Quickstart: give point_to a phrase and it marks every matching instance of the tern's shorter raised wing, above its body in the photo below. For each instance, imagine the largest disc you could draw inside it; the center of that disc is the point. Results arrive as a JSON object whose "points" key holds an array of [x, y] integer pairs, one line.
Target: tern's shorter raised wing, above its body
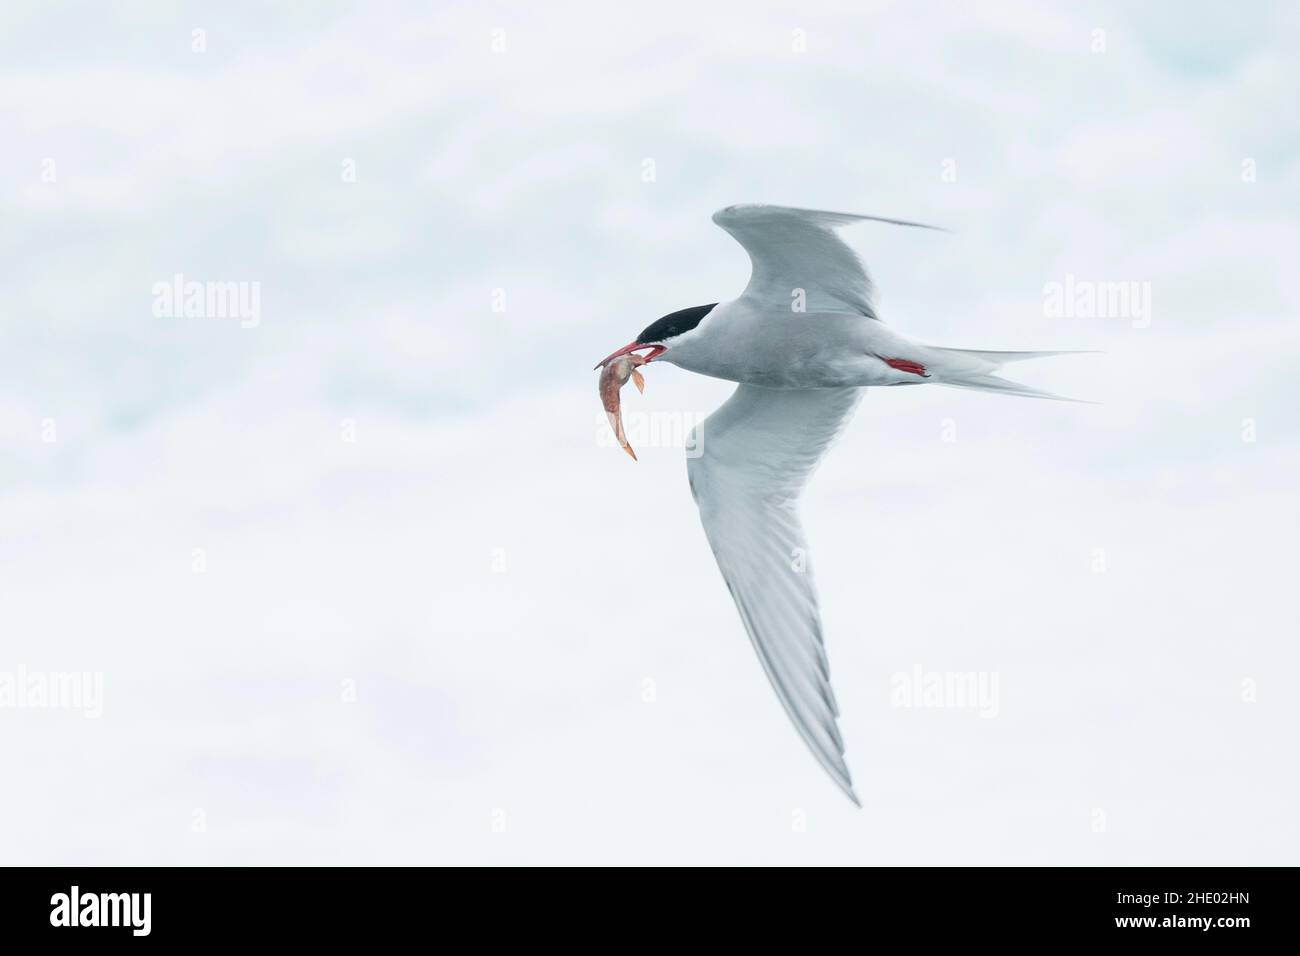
{"points": [[799, 249]]}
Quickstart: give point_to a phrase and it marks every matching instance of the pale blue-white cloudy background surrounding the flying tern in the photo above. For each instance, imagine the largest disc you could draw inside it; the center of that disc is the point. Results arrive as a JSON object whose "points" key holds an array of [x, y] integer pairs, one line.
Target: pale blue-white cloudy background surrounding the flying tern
{"points": [[367, 583]]}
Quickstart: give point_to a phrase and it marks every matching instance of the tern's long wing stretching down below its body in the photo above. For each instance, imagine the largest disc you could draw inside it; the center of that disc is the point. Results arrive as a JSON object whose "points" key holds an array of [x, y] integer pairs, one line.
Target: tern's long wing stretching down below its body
{"points": [[756, 455]]}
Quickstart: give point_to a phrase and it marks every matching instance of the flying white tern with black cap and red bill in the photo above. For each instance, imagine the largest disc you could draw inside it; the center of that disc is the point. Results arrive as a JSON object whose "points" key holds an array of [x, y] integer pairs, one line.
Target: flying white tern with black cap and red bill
{"points": [[803, 341]]}
